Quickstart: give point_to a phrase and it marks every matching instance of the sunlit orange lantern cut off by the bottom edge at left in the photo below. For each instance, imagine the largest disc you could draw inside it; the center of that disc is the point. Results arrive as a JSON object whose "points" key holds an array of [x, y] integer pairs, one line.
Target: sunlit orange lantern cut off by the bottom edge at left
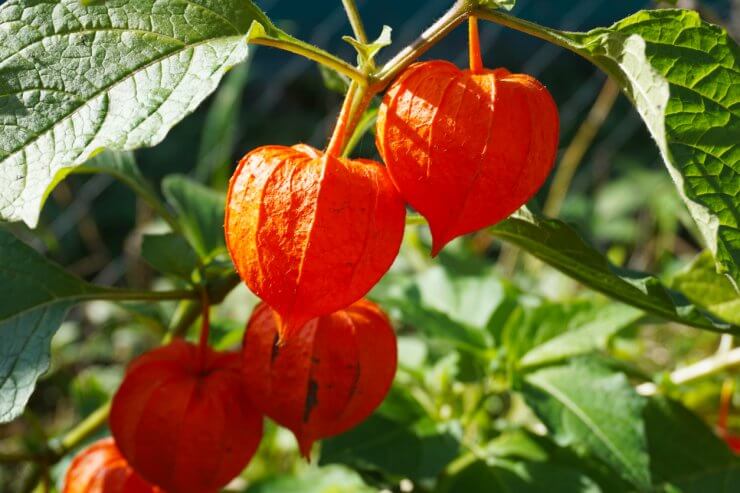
{"points": [[101, 468]]}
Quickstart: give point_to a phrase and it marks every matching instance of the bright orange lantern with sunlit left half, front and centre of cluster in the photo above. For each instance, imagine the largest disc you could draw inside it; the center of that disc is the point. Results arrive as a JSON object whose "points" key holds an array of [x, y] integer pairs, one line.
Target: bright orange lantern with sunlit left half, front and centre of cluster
{"points": [[311, 233]]}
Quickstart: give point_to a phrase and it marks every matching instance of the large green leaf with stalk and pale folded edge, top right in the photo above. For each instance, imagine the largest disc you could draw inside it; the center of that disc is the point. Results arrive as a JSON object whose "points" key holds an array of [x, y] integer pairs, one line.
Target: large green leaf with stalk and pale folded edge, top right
{"points": [[681, 74]]}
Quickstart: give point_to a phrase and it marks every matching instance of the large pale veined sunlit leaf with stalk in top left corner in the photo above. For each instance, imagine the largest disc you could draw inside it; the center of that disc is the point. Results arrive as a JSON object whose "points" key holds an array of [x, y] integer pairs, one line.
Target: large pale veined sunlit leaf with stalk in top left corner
{"points": [[76, 77]]}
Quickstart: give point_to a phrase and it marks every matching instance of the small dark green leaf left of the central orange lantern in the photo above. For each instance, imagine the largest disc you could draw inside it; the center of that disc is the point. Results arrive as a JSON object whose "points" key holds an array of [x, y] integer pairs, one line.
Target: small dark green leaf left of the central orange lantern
{"points": [[170, 254]]}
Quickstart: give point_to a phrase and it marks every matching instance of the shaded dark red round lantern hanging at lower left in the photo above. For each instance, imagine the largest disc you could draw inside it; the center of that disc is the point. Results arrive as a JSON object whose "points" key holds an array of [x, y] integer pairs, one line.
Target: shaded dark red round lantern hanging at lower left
{"points": [[182, 418]]}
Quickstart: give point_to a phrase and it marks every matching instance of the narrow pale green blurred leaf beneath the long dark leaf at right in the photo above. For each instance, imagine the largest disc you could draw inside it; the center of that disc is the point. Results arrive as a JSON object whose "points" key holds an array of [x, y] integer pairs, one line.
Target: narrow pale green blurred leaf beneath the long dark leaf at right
{"points": [[588, 334]]}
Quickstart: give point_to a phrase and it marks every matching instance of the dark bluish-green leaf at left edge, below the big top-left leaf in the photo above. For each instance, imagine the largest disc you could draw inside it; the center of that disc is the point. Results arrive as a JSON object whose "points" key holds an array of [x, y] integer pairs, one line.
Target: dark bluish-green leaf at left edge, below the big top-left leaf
{"points": [[34, 297]]}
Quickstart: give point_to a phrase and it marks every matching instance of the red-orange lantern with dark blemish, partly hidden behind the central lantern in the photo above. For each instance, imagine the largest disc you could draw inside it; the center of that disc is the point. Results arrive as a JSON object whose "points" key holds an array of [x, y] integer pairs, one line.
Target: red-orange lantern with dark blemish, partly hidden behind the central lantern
{"points": [[328, 377]]}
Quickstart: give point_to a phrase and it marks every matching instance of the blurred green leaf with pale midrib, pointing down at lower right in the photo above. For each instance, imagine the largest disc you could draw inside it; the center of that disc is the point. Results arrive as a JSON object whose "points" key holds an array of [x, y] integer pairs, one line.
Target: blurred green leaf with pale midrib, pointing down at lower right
{"points": [[588, 407]]}
